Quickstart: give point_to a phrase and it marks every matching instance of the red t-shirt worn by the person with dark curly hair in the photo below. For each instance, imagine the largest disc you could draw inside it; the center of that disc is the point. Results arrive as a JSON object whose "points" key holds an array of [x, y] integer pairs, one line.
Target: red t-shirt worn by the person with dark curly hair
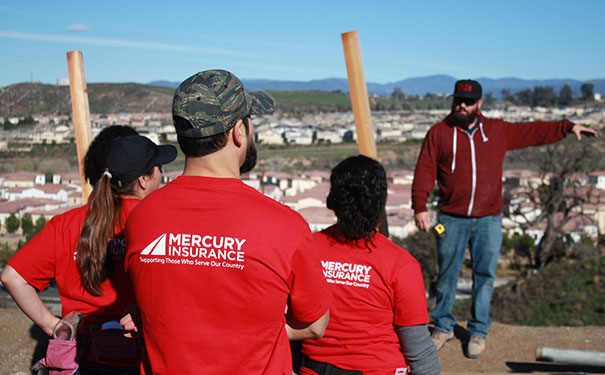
{"points": [[373, 290]]}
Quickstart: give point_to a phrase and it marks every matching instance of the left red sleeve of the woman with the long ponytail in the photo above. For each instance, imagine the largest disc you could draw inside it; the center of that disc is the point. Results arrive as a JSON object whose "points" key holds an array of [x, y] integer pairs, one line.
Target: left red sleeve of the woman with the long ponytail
{"points": [[36, 260]]}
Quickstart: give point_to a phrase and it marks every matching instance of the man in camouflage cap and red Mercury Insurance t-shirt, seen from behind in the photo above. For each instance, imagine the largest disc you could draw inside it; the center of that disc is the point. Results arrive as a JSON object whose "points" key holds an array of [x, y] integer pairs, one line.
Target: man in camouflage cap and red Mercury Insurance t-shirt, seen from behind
{"points": [[214, 262]]}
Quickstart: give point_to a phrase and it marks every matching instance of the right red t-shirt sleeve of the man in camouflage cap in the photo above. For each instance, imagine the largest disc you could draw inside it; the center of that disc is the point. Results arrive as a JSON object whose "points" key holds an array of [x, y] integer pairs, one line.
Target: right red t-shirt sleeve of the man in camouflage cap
{"points": [[309, 293]]}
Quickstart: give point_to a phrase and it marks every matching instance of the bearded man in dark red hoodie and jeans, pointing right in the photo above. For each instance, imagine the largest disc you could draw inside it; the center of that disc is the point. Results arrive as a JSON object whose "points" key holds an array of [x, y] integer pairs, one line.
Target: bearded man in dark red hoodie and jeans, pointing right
{"points": [[465, 153]]}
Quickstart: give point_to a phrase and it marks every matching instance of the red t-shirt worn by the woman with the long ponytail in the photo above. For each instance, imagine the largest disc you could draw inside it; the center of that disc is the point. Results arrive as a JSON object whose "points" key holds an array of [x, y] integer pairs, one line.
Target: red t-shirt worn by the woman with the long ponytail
{"points": [[51, 254]]}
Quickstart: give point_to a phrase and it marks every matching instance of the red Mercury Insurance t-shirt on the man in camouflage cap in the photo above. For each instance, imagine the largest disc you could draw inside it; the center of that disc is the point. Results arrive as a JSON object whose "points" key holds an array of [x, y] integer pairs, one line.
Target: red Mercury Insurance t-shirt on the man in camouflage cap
{"points": [[214, 263]]}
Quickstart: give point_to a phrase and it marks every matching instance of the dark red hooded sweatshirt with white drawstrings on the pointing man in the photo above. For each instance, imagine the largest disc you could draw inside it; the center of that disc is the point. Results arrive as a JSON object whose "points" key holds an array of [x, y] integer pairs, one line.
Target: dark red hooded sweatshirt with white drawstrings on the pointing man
{"points": [[468, 168]]}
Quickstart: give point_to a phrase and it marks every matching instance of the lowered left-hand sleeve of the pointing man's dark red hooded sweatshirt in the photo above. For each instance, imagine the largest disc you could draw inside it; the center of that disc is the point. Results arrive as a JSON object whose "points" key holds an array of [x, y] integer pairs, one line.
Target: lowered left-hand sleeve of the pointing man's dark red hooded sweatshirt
{"points": [[425, 173]]}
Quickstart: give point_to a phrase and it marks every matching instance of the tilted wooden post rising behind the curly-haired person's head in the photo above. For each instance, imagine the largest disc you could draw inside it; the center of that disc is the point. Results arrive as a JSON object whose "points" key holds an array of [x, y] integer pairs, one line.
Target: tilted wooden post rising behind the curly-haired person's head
{"points": [[358, 92]]}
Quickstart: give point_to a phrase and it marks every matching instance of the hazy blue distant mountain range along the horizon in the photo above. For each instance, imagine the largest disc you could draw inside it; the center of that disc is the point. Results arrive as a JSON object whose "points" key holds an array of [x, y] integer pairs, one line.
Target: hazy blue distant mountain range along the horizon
{"points": [[435, 84]]}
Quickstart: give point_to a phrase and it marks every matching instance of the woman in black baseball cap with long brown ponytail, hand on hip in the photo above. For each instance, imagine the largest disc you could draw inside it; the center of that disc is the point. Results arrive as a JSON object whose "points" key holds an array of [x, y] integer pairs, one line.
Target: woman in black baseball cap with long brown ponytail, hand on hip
{"points": [[83, 250]]}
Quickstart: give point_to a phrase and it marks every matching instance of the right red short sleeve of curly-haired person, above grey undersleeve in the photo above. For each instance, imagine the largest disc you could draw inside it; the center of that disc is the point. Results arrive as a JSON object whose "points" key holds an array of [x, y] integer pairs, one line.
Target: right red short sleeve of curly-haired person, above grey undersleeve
{"points": [[410, 297]]}
